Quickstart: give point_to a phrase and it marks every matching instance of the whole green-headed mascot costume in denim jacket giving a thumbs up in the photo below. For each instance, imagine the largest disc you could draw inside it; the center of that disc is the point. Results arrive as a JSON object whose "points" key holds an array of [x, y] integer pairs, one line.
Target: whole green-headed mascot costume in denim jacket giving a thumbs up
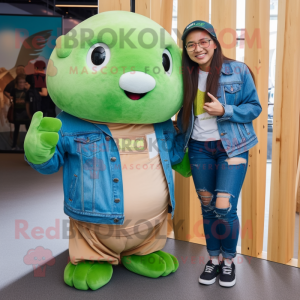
{"points": [[117, 80]]}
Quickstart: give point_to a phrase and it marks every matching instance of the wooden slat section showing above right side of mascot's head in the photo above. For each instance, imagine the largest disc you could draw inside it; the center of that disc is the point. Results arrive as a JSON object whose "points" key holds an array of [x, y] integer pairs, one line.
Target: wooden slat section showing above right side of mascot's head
{"points": [[159, 11]]}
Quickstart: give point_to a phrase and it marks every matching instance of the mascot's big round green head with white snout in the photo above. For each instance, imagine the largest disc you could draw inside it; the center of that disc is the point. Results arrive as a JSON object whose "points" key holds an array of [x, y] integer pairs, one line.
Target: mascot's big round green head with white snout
{"points": [[117, 67]]}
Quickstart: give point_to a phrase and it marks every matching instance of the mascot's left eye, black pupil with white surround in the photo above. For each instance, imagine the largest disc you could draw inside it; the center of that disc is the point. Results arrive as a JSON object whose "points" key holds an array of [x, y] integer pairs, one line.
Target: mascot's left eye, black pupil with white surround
{"points": [[98, 56]]}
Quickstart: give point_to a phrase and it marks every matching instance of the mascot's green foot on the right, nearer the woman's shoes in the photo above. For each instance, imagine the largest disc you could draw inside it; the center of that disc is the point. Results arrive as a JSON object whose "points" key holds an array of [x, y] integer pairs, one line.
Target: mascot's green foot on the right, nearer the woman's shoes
{"points": [[152, 265]]}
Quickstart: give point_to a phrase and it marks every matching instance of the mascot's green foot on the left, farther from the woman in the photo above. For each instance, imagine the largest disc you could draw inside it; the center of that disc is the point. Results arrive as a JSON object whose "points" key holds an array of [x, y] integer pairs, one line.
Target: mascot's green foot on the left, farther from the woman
{"points": [[88, 274]]}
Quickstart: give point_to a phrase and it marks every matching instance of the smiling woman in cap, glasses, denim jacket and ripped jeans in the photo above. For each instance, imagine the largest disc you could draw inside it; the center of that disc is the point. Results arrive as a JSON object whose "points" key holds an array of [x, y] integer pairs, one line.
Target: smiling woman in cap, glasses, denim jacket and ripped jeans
{"points": [[220, 103]]}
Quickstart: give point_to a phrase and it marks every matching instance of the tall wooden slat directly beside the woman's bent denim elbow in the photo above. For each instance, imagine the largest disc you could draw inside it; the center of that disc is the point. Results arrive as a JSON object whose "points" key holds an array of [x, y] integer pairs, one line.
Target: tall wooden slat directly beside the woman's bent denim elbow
{"points": [[254, 187]]}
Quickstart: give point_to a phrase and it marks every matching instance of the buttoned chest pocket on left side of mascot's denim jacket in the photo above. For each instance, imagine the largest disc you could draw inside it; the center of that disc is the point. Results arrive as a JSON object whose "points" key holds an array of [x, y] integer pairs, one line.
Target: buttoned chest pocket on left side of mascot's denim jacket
{"points": [[88, 144]]}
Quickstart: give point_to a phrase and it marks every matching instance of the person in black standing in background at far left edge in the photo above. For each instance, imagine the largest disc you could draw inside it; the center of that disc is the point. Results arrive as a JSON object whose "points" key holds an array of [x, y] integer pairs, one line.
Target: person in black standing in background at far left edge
{"points": [[21, 113]]}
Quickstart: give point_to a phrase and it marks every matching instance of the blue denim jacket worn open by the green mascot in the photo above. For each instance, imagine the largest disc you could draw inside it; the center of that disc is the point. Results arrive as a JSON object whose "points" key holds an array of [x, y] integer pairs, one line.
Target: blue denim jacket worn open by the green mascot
{"points": [[92, 176]]}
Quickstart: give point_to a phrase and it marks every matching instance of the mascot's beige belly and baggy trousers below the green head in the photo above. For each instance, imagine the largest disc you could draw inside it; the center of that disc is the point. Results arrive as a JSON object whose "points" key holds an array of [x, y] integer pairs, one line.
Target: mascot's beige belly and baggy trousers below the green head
{"points": [[146, 198]]}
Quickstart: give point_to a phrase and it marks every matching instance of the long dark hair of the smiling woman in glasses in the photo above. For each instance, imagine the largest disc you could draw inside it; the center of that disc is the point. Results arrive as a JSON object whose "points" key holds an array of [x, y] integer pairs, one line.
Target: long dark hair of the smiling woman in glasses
{"points": [[190, 72]]}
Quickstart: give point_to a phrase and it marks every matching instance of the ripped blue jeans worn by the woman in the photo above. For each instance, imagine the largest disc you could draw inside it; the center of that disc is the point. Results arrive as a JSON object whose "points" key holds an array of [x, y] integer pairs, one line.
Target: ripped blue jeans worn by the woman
{"points": [[218, 176]]}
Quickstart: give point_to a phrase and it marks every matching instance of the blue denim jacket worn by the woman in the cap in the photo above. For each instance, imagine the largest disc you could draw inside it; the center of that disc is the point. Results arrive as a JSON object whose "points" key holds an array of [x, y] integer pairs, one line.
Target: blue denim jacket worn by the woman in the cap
{"points": [[238, 96]]}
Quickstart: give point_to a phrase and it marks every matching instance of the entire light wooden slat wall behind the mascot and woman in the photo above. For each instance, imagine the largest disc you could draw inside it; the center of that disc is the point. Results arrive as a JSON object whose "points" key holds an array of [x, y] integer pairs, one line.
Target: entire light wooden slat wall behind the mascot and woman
{"points": [[285, 187]]}
